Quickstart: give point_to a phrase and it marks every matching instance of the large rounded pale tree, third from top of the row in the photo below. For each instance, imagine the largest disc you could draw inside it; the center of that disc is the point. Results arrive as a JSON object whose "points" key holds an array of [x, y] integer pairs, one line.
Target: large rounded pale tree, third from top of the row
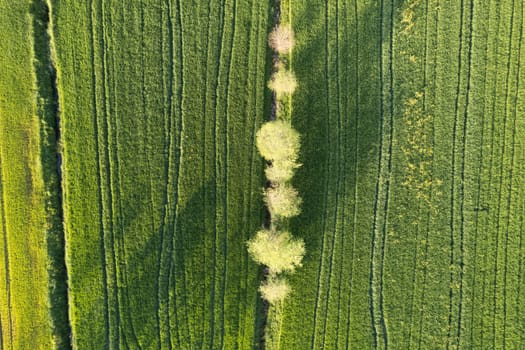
{"points": [[278, 141]]}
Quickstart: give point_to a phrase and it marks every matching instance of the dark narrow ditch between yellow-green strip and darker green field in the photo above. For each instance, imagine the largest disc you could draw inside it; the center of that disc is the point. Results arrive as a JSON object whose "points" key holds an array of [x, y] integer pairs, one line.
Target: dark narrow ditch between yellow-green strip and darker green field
{"points": [[49, 118]]}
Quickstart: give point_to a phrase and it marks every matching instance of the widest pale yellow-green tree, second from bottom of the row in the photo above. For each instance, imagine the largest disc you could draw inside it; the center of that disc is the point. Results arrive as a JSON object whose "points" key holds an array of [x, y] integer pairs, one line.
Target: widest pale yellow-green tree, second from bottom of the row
{"points": [[277, 250]]}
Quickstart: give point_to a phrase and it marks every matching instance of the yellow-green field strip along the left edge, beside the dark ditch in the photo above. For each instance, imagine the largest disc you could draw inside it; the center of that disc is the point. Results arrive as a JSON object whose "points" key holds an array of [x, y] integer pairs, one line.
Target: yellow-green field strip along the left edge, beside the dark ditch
{"points": [[24, 301]]}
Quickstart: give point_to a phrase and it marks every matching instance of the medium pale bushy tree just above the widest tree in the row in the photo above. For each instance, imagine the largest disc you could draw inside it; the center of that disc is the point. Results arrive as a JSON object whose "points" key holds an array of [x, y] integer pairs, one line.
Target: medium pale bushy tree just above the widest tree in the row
{"points": [[283, 201]]}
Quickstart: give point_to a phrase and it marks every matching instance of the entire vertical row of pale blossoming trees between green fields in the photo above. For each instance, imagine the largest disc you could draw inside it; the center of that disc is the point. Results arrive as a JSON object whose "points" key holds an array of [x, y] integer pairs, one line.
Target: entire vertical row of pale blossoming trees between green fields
{"points": [[279, 144]]}
